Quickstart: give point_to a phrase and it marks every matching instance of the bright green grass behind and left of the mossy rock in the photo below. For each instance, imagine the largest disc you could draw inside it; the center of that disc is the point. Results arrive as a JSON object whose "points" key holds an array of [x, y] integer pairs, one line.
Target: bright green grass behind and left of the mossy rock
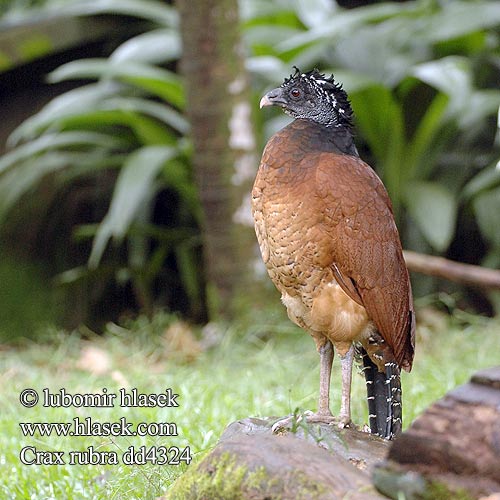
{"points": [[266, 369]]}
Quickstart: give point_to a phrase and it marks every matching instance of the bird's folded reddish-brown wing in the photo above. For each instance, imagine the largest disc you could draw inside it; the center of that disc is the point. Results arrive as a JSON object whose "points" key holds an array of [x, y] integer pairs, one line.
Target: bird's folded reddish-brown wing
{"points": [[367, 257]]}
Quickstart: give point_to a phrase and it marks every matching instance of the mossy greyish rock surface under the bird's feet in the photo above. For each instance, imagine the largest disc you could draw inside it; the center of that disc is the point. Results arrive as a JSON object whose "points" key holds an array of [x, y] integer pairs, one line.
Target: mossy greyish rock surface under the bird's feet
{"points": [[250, 462]]}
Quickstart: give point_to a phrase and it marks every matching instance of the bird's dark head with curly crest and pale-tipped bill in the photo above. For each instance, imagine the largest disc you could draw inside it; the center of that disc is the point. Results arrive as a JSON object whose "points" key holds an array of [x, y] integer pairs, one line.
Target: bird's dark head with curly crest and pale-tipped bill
{"points": [[312, 96]]}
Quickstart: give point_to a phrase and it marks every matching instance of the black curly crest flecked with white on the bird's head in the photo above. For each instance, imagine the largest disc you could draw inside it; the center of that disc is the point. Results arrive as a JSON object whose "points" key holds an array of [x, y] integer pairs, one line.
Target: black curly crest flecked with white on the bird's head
{"points": [[335, 93]]}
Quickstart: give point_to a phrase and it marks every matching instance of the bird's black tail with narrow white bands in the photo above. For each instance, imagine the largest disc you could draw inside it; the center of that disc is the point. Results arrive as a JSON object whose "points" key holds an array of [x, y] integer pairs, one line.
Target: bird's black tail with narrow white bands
{"points": [[384, 397]]}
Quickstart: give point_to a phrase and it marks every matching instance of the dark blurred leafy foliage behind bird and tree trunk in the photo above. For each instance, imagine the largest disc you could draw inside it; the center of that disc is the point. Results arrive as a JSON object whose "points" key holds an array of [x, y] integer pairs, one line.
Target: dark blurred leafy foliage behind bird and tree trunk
{"points": [[97, 188]]}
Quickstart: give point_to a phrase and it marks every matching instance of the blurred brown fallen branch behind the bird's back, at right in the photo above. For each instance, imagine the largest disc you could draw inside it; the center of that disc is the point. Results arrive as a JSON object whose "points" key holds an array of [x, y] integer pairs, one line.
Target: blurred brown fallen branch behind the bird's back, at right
{"points": [[440, 267]]}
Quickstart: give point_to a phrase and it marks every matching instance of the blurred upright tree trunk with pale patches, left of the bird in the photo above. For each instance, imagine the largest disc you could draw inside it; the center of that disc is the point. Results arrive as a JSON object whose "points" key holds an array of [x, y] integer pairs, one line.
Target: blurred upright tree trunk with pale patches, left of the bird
{"points": [[224, 145]]}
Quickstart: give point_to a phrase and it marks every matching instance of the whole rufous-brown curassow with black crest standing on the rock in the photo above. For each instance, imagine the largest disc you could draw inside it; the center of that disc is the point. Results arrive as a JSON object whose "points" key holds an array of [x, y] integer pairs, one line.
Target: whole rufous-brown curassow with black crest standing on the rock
{"points": [[327, 235]]}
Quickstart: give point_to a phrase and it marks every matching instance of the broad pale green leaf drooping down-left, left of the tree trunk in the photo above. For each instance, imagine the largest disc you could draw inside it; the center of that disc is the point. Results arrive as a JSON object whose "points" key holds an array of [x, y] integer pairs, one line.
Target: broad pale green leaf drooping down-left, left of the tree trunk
{"points": [[134, 187]]}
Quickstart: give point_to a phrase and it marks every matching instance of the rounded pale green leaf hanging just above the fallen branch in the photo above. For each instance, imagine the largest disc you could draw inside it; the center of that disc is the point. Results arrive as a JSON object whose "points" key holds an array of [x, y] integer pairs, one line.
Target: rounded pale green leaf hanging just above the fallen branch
{"points": [[434, 210]]}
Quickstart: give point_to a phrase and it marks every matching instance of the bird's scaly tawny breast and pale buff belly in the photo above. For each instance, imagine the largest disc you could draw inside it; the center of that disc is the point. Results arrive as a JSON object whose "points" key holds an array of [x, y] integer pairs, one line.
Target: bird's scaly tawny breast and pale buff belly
{"points": [[298, 255]]}
